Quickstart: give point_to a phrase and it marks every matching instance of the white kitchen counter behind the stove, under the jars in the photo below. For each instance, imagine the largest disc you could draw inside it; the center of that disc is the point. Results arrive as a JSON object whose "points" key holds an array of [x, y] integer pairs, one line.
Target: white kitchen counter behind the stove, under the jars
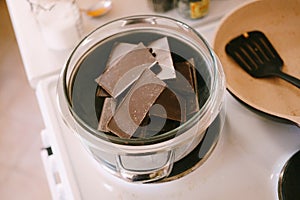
{"points": [[40, 61]]}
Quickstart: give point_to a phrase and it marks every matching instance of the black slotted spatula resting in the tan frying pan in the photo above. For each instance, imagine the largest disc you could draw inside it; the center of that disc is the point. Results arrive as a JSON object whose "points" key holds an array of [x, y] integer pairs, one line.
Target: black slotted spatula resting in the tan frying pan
{"points": [[256, 55]]}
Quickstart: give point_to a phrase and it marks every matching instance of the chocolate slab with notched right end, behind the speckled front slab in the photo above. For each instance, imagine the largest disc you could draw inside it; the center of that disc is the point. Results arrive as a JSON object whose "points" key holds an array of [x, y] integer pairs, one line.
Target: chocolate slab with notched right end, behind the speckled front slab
{"points": [[125, 71]]}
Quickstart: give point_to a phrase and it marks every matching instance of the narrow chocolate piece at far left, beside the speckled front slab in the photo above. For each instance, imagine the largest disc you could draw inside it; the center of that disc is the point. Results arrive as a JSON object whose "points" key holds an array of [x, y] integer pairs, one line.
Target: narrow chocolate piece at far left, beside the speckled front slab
{"points": [[108, 110]]}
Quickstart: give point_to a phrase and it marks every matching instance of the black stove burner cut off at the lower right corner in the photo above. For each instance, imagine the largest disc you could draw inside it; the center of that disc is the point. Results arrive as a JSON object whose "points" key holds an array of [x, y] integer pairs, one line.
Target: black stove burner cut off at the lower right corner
{"points": [[289, 182]]}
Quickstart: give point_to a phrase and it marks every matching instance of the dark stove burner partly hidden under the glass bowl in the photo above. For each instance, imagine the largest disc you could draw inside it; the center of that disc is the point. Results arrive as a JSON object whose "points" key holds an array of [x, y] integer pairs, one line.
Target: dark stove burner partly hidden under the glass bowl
{"points": [[197, 157]]}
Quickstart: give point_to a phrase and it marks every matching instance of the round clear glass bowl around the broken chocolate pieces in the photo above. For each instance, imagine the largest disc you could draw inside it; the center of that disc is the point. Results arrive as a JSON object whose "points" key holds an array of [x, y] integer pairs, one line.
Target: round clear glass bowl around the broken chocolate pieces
{"points": [[139, 159]]}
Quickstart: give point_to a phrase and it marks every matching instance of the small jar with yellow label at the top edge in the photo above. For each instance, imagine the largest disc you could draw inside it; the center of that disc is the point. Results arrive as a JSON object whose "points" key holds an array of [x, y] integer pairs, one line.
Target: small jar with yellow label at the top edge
{"points": [[193, 9]]}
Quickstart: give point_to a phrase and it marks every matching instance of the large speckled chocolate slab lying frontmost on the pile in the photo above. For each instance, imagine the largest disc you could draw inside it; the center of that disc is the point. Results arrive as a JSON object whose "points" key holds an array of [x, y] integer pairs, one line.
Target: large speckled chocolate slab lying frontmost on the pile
{"points": [[136, 104]]}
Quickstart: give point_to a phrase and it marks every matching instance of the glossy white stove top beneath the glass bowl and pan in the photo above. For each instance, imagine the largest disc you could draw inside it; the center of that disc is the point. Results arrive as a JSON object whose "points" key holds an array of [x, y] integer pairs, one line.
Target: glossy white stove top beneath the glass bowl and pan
{"points": [[245, 164]]}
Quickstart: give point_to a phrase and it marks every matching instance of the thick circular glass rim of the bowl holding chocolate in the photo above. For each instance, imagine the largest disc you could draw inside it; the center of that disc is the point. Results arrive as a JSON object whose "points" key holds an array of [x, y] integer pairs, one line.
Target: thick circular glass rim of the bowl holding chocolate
{"points": [[210, 107]]}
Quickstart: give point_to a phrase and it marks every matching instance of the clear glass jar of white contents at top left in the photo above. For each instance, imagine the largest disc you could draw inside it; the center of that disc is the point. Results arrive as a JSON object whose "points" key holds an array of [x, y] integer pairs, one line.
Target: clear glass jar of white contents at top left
{"points": [[59, 22]]}
